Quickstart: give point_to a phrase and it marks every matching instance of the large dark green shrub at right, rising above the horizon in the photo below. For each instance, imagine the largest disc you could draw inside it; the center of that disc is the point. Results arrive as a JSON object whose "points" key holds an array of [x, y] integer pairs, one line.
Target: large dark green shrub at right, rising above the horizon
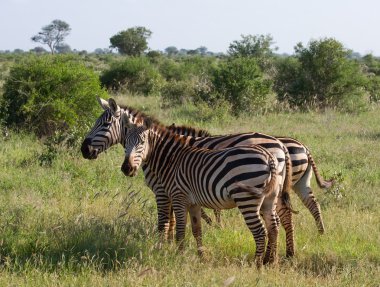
{"points": [[322, 76]]}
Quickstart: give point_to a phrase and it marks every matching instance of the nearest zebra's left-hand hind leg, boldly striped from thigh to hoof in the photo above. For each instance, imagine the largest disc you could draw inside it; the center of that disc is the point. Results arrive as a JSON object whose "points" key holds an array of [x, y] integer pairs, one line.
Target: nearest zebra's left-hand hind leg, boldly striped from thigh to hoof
{"points": [[249, 204]]}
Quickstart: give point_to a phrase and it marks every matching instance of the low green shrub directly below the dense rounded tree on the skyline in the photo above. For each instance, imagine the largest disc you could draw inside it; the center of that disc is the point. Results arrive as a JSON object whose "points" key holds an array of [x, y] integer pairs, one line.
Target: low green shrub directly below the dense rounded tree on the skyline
{"points": [[135, 74]]}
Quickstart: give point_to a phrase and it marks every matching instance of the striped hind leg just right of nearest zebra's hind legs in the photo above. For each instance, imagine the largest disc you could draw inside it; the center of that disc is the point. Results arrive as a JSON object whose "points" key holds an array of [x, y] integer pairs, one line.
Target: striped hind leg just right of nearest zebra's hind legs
{"points": [[286, 219]]}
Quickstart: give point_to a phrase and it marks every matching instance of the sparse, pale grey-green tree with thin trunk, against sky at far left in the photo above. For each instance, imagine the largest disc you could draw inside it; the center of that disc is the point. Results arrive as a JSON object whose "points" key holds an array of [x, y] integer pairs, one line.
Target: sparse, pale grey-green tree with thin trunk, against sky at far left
{"points": [[53, 34]]}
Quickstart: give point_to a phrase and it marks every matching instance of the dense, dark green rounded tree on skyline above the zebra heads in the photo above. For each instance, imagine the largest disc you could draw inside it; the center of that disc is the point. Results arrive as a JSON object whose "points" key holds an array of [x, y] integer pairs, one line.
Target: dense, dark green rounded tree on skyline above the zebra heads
{"points": [[132, 42]]}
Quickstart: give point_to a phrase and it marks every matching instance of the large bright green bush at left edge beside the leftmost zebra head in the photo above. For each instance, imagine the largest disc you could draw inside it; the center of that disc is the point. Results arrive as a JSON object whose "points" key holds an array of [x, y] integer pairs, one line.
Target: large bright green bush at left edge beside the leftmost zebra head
{"points": [[49, 93]]}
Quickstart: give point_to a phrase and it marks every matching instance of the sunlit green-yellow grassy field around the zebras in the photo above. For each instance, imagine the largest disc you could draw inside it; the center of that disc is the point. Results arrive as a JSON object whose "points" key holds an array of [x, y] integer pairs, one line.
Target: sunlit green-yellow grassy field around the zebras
{"points": [[82, 223]]}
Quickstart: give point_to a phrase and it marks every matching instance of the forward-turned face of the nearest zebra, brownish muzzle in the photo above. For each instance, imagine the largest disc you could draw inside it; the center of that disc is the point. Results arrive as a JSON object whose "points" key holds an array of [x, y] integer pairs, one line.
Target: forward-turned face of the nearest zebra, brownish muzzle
{"points": [[136, 145]]}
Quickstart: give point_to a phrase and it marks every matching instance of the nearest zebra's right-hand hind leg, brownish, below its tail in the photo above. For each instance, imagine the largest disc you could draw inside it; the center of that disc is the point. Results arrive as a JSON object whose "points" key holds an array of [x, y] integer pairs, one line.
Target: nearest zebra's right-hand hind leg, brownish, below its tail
{"points": [[268, 211]]}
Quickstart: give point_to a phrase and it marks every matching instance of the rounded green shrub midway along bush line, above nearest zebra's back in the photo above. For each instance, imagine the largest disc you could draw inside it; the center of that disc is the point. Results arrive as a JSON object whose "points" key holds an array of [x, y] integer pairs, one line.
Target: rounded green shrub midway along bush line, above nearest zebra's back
{"points": [[240, 82]]}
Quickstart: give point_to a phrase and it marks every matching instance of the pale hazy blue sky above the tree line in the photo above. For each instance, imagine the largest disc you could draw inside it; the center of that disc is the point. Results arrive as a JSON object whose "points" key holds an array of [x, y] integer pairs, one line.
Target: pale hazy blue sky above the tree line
{"points": [[194, 23]]}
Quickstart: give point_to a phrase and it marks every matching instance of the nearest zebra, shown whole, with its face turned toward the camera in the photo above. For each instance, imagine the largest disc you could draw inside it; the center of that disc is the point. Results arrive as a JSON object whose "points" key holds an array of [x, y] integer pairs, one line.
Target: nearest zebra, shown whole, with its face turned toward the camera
{"points": [[241, 176]]}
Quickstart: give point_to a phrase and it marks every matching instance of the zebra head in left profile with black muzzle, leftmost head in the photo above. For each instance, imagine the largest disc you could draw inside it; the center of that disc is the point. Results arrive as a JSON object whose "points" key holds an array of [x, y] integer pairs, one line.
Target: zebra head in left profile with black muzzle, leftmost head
{"points": [[105, 132]]}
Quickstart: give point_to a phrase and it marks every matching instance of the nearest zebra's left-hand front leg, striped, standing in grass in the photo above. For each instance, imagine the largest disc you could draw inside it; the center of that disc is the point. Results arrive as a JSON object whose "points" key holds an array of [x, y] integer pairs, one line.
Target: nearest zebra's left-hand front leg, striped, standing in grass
{"points": [[180, 207]]}
